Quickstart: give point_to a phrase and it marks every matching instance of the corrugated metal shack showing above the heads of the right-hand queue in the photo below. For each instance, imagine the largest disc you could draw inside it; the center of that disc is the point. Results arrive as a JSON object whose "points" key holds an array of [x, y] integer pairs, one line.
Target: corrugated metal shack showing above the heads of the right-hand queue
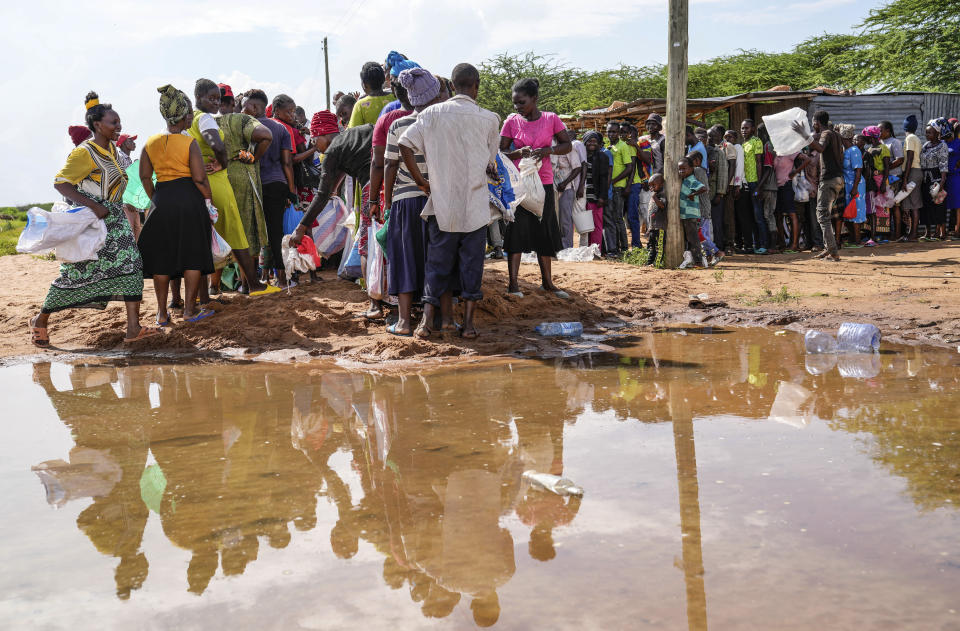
{"points": [[859, 109]]}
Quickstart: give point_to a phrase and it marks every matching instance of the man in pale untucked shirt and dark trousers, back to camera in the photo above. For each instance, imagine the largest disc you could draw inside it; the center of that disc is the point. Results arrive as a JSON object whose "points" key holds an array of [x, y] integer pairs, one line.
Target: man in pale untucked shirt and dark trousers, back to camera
{"points": [[459, 141]]}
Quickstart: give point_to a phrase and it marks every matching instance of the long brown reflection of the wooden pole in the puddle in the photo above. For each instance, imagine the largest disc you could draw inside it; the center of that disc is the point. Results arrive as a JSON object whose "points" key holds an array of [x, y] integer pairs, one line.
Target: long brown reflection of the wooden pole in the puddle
{"points": [[689, 510]]}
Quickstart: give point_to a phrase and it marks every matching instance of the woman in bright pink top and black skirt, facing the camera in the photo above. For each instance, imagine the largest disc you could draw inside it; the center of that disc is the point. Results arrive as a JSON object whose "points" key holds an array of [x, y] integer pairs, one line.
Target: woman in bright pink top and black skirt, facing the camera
{"points": [[531, 133]]}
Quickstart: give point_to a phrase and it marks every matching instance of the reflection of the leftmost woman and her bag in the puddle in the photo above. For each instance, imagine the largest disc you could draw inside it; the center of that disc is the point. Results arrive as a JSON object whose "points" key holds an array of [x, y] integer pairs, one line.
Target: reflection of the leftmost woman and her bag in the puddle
{"points": [[115, 430]]}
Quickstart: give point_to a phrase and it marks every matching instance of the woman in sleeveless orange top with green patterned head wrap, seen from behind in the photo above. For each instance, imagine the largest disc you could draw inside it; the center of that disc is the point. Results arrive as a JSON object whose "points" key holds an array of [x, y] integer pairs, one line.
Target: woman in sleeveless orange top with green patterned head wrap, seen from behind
{"points": [[175, 240]]}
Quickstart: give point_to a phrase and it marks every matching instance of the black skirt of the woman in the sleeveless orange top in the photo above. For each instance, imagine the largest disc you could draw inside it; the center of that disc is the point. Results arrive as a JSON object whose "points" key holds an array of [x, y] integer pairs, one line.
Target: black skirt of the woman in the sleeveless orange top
{"points": [[176, 235]]}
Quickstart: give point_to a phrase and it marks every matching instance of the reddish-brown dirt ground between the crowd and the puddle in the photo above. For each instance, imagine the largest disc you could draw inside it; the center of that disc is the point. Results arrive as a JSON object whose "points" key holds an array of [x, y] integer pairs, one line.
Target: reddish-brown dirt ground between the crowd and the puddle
{"points": [[910, 291]]}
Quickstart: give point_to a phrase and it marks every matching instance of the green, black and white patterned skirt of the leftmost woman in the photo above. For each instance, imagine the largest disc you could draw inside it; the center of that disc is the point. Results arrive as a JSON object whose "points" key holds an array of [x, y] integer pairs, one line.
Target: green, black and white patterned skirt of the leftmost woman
{"points": [[117, 274]]}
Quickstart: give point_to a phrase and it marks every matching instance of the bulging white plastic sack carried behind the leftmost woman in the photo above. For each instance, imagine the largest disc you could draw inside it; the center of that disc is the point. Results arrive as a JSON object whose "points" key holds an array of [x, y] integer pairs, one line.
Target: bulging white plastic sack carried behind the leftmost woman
{"points": [[75, 233]]}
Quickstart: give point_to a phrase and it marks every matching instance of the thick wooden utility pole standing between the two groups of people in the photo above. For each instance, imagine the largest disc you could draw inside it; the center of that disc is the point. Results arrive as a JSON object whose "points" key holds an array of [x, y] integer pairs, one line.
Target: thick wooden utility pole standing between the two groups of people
{"points": [[675, 126]]}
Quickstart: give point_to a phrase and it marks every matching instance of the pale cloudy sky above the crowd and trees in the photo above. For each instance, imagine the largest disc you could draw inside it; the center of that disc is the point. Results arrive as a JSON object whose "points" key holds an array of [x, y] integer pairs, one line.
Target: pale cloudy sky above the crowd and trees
{"points": [[57, 51]]}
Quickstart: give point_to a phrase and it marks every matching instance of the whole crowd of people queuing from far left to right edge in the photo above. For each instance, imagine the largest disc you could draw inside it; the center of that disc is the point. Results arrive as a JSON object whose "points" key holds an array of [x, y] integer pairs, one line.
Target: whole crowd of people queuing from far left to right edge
{"points": [[421, 161]]}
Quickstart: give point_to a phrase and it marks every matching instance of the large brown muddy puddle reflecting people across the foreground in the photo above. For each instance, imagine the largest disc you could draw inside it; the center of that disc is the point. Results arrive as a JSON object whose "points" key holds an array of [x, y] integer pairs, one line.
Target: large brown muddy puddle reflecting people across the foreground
{"points": [[728, 484]]}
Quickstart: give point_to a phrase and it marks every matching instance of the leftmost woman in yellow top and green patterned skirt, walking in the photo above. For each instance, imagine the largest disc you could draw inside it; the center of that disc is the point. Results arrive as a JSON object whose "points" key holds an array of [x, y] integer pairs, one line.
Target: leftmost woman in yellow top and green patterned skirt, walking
{"points": [[93, 178]]}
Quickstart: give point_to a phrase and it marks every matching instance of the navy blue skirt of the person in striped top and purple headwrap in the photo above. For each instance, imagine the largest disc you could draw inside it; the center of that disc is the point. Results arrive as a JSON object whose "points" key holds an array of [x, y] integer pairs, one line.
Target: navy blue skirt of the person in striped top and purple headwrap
{"points": [[406, 247]]}
